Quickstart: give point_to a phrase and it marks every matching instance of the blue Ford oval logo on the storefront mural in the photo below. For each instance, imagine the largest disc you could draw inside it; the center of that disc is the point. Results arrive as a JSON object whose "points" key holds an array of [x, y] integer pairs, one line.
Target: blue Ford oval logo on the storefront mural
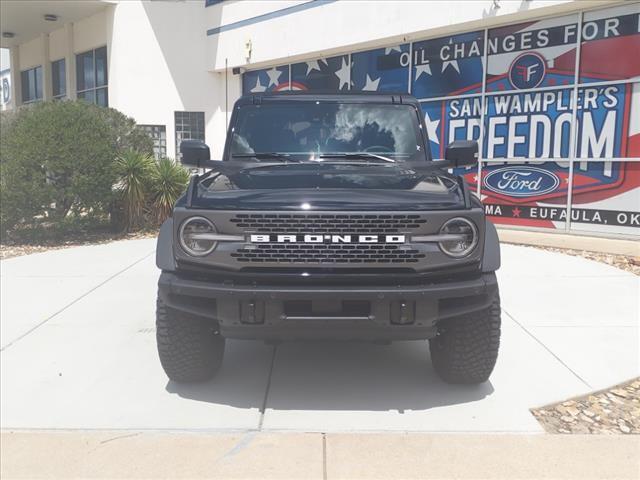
{"points": [[521, 181]]}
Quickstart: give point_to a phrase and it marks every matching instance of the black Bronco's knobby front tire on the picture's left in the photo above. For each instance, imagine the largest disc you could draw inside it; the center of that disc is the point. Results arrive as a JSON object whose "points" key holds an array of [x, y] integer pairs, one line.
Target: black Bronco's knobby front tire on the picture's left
{"points": [[190, 348]]}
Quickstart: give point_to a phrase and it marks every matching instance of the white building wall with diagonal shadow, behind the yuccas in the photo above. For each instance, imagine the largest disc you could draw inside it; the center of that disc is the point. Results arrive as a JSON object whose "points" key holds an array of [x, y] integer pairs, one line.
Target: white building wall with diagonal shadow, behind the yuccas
{"points": [[157, 66]]}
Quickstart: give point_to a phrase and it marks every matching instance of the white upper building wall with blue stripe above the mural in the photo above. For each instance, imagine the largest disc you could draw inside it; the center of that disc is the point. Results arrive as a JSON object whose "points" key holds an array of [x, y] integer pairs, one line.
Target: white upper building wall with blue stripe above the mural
{"points": [[341, 26]]}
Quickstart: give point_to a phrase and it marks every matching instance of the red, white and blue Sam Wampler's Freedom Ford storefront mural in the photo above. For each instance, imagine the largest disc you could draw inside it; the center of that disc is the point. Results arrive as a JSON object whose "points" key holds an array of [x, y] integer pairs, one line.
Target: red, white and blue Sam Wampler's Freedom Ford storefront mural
{"points": [[552, 151]]}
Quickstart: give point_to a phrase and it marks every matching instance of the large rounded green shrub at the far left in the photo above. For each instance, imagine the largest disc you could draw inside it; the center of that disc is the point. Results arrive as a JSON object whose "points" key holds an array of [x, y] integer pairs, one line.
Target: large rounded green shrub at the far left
{"points": [[58, 157]]}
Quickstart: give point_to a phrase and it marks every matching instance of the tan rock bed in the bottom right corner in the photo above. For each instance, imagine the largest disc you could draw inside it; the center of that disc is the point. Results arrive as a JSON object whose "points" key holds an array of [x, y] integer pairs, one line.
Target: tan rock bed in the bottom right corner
{"points": [[612, 411]]}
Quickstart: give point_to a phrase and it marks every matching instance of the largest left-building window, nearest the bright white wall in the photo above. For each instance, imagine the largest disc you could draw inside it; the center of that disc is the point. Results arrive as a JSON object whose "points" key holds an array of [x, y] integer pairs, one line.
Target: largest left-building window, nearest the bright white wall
{"points": [[91, 76]]}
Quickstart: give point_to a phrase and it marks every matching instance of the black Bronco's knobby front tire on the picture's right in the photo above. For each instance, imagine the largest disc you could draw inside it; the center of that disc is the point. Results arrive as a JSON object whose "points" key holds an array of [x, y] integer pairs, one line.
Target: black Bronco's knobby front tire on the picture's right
{"points": [[466, 348]]}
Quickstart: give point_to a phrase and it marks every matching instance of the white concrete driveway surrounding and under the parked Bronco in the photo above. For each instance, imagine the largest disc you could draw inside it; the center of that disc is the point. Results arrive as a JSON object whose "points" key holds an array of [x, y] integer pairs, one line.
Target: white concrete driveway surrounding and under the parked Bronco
{"points": [[78, 352]]}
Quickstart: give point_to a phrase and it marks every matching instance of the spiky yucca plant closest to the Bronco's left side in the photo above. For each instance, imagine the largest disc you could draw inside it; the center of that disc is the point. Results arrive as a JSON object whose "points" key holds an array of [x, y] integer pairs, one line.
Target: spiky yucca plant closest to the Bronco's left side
{"points": [[168, 181]]}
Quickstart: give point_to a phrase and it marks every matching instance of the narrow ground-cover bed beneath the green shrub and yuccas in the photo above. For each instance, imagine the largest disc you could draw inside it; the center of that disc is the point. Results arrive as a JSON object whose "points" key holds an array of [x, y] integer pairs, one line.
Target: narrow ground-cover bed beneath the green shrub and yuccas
{"points": [[10, 250]]}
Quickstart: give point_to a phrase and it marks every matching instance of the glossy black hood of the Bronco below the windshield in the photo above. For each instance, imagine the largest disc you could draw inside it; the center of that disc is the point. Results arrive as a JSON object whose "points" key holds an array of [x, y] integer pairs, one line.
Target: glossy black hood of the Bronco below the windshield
{"points": [[330, 186]]}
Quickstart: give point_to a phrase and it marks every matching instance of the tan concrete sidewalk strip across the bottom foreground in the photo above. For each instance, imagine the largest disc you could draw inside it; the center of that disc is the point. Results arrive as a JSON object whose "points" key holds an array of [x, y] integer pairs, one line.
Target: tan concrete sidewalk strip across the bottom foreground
{"points": [[254, 455]]}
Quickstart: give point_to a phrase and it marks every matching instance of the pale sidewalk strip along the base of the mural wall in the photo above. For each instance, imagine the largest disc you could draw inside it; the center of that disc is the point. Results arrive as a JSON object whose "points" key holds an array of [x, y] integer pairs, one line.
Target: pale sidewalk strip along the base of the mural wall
{"points": [[576, 242]]}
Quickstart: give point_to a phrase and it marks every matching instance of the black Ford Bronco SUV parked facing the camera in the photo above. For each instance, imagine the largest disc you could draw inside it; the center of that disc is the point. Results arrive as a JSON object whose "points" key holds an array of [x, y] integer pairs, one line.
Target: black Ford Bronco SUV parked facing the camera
{"points": [[327, 218]]}
